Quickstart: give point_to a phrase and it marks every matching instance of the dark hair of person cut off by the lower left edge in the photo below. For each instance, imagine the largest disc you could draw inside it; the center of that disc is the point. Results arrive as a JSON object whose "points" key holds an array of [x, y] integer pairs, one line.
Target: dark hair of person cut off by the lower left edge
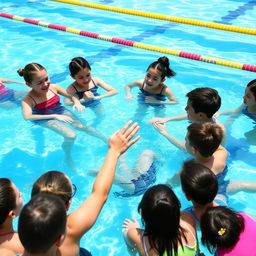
{"points": [[7, 199]]}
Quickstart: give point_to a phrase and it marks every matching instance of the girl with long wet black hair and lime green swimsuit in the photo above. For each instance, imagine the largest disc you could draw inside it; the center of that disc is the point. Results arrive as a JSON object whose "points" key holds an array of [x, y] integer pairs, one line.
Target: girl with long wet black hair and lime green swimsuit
{"points": [[167, 231]]}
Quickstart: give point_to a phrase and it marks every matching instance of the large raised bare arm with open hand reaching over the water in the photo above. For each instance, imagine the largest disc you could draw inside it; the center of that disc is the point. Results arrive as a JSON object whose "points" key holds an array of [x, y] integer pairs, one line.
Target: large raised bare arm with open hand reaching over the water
{"points": [[82, 219]]}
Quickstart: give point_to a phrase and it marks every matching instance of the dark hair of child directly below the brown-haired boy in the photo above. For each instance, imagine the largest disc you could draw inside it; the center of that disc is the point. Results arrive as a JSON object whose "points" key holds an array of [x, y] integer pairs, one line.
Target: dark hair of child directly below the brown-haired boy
{"points": [[198, 182]]}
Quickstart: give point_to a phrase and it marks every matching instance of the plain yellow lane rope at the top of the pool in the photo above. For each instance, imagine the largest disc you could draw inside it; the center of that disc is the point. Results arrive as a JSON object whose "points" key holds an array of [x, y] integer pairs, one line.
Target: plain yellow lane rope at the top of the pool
{"points": [[214, 25]]}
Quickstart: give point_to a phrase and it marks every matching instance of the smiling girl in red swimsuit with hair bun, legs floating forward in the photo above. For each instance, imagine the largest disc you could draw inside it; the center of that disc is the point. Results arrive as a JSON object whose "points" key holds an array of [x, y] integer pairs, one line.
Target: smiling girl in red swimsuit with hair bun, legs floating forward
{"points": [[42, 106]]}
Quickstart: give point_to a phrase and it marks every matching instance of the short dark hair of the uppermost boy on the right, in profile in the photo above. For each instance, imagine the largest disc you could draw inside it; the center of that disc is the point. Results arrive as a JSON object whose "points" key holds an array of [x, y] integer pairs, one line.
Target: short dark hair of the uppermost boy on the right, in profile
{"points": [[205, 100]]}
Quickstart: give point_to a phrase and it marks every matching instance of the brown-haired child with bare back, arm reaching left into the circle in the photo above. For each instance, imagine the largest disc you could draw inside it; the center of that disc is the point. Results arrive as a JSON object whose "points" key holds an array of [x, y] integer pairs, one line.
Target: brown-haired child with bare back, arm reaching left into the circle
{"points": [[203, 142]]}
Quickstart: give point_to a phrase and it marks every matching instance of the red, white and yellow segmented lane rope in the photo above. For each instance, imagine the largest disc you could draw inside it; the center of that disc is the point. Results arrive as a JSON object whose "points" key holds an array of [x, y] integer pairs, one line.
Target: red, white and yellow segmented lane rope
{"points": [[149, 47]]}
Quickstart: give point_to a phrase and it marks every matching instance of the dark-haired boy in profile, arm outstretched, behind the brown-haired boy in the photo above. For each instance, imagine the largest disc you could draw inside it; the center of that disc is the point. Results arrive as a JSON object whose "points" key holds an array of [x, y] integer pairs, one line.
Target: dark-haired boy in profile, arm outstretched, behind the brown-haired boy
{"points": [[202, 104]]}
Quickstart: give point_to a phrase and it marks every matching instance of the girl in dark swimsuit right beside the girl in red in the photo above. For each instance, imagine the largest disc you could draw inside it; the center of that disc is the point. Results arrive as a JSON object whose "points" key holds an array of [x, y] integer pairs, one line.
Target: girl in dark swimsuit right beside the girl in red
{"points": [[85, 87]]}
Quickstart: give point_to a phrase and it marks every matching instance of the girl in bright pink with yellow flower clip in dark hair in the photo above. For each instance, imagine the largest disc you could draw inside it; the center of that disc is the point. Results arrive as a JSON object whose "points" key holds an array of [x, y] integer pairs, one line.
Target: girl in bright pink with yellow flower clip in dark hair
{"points": [[231, 233]]}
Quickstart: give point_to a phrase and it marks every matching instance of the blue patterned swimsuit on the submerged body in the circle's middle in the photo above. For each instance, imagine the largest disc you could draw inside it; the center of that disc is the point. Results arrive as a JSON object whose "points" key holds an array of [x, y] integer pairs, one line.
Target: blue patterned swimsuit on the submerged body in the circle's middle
{"points": [[141, 183]]}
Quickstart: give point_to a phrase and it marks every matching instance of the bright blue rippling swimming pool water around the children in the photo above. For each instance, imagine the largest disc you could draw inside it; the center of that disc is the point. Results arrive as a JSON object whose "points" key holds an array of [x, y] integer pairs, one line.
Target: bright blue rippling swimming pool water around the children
{"points": [[28, 151]]}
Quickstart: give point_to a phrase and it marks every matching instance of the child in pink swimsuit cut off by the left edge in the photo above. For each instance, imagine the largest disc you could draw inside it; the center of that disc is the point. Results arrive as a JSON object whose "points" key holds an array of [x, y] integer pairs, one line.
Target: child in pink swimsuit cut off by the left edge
{"points": [[9, 97]]}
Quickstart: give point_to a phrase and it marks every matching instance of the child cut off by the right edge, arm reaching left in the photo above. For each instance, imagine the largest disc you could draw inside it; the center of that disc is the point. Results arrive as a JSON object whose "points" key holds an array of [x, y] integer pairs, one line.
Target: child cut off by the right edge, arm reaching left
{"points": [[248, 108]]}
